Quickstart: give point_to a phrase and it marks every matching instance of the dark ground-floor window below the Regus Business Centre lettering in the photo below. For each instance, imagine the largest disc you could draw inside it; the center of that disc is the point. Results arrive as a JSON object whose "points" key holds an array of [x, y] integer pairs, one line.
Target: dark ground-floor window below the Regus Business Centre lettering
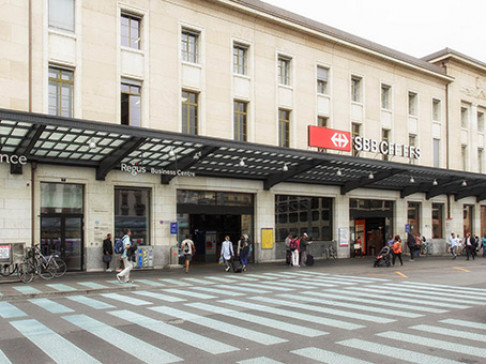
{"points": [[132, 211]]}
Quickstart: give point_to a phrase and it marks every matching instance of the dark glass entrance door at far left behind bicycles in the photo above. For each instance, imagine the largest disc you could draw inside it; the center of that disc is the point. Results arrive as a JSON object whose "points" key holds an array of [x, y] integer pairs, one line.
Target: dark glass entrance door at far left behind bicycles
{"points": [[63, 235]]}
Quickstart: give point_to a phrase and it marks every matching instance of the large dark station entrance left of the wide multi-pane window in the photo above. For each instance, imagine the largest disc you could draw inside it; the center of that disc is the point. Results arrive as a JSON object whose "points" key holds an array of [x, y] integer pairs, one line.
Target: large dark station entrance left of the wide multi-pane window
{"points": [[209, 216]]}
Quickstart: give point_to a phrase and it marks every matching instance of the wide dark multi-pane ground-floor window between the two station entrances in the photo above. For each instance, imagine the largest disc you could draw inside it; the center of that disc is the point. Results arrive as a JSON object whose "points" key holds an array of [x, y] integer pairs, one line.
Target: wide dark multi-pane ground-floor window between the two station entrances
{"points": [[298, 214]]}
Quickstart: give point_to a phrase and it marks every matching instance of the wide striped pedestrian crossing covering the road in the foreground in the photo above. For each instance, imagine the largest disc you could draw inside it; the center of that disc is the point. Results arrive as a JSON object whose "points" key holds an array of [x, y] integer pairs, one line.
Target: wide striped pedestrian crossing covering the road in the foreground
{"points": [[366, 320]]}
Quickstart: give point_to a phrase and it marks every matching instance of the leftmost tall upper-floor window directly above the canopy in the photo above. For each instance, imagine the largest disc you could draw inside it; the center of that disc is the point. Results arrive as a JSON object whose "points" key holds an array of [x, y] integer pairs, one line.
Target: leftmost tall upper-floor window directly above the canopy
{"points": [[61, 92]]}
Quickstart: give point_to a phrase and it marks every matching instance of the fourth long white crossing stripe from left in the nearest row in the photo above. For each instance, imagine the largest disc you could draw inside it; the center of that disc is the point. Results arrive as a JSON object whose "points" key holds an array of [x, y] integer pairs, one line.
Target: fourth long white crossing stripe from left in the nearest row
{"points": [[219, 325]]}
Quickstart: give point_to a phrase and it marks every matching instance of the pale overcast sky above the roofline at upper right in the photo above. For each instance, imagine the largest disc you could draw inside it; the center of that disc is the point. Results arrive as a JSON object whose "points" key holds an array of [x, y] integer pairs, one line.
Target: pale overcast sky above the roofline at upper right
{"points": [[416, 27]]}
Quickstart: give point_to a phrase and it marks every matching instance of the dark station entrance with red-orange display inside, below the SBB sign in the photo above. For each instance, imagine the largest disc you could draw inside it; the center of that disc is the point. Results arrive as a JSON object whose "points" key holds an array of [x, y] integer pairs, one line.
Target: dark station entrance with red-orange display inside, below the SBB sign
{"points": [[371, 222]]}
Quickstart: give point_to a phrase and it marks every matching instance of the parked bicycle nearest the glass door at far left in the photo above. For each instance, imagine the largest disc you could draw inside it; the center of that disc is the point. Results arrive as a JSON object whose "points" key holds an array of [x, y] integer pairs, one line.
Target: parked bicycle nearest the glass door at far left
{"points": [[47, 267]]}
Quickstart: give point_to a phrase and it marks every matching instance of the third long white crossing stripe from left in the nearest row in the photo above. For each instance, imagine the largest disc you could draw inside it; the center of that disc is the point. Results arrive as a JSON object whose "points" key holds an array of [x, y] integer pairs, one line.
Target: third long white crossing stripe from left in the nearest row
{"points": [[175, 333]]}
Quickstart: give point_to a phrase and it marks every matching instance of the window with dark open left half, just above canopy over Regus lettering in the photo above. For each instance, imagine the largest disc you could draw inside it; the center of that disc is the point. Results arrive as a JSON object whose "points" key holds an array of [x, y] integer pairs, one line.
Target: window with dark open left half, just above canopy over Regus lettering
{"points": [[130, 103]]}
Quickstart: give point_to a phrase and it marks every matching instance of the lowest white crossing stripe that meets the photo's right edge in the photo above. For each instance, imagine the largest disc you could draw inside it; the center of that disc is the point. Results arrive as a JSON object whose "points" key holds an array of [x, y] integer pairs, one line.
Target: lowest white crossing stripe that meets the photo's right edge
{"points": [[434, 343]]}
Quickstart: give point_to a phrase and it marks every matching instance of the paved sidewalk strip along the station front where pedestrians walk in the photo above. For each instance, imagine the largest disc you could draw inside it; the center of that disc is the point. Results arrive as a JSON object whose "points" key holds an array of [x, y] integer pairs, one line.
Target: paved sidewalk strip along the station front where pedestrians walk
{"points": [[82, 283]]}
